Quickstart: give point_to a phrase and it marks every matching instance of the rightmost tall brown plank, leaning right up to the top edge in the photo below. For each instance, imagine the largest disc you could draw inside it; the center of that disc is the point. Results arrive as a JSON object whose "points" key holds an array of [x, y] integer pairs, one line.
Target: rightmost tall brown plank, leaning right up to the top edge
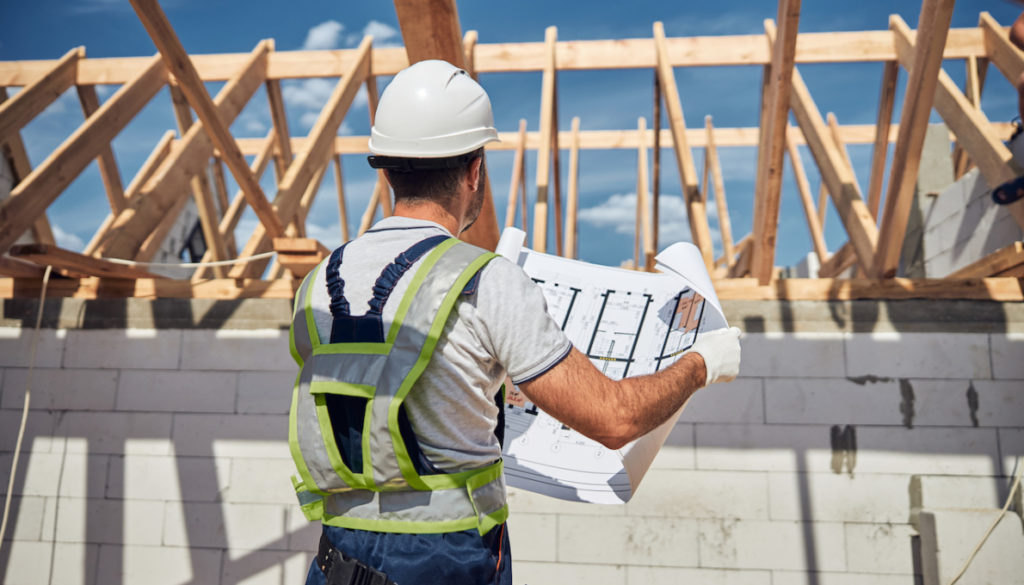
{"points": [[918, 100]]}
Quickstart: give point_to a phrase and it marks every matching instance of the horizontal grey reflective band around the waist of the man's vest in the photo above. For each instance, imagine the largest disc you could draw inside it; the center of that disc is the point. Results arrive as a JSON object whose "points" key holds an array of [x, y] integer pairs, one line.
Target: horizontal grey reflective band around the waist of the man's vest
{"points": [[417, 507]]}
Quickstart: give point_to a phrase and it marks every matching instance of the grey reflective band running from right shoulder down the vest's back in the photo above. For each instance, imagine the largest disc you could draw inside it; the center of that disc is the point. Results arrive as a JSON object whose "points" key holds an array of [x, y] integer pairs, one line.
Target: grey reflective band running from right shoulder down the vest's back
{"points": [[409, 345]]}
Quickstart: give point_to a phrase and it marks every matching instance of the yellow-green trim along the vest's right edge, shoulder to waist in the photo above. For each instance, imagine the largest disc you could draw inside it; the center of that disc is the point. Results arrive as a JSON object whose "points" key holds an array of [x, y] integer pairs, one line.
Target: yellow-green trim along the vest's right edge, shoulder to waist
{"points": [[405, 463]]}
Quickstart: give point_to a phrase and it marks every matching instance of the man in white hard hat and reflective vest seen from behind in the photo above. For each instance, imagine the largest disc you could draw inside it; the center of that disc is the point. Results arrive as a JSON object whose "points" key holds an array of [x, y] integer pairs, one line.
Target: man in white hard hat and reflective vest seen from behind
{"points": [[397, 414]]}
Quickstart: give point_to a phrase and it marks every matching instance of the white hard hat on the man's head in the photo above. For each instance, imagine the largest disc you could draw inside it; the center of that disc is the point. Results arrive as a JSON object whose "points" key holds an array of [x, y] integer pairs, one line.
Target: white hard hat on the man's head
{"points": [[433, 110]]}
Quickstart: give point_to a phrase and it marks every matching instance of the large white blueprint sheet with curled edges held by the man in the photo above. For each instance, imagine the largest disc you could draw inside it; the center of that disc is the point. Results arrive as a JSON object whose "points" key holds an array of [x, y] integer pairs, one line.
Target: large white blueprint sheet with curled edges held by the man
{"points": [[629, 324]]}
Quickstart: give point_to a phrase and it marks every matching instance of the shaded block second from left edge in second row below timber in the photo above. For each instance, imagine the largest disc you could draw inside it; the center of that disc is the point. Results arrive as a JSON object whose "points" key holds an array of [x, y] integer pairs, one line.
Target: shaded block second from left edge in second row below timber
{"points": [[177, 392]]}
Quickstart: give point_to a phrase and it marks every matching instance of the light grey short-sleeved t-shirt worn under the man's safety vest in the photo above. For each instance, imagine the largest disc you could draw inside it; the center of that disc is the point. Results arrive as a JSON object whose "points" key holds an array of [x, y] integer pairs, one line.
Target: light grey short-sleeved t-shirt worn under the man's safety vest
{"points": [[502, 328]]}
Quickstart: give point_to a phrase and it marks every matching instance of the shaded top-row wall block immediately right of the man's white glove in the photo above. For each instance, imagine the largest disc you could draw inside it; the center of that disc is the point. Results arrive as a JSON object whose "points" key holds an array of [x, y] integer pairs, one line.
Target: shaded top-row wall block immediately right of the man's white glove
{"points": [[793, 355]]}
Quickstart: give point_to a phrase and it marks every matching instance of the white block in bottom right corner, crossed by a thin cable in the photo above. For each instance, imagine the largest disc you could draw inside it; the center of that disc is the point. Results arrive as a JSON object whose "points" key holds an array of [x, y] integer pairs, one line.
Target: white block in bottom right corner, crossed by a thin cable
{"points": [[948, 537]]}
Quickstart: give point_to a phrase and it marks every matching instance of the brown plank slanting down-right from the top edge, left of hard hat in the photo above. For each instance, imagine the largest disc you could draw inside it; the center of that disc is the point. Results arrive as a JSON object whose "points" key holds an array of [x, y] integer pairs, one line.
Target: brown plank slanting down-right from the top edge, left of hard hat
{"points": [[164, 37]]}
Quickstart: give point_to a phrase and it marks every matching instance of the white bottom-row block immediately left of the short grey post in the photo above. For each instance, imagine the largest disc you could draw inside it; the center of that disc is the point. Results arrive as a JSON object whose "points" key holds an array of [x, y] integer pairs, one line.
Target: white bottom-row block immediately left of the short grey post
{"points": [[880, 549]]}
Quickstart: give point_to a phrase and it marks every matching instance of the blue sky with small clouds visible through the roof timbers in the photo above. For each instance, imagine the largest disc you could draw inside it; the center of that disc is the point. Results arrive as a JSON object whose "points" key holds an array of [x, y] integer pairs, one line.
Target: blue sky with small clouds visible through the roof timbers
{"points": [[48, 29]]}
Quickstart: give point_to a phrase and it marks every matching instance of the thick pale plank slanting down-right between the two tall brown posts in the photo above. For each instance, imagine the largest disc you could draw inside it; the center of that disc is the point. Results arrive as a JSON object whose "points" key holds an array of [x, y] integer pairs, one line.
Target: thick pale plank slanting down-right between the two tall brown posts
{"points": [[835, 173]]}
